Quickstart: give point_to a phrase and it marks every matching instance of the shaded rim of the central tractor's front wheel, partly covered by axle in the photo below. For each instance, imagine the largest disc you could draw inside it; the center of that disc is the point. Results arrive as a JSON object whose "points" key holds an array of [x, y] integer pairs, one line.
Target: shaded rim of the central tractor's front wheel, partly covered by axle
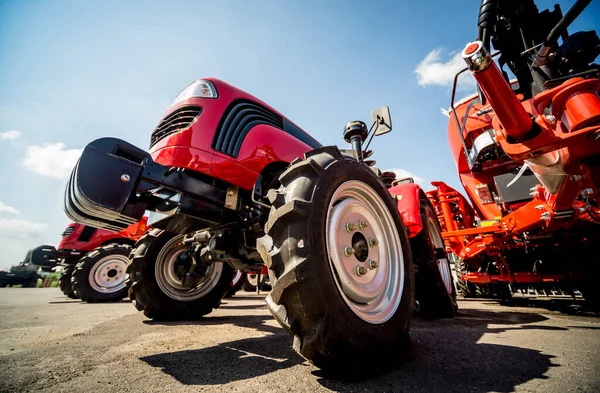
{"points": [[171, 284]]}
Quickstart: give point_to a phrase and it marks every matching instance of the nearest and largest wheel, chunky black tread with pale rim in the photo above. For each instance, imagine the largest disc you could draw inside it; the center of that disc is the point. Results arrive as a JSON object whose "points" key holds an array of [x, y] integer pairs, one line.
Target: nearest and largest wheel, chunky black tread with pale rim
{"points": [[338, 318]]}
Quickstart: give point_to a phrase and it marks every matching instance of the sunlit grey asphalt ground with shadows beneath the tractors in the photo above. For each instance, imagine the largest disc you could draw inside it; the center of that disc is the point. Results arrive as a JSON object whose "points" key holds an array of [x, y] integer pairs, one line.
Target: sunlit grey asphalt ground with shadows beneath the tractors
{"points": [[49, 343]]}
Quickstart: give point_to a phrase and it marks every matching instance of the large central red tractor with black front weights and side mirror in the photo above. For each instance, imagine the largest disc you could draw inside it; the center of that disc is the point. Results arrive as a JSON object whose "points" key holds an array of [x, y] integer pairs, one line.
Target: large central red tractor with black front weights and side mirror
{"points": [[230, 183]]}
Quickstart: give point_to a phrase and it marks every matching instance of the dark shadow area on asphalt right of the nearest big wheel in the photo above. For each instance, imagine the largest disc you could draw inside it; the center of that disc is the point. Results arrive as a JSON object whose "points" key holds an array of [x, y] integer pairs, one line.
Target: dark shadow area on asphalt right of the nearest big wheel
{"points": [[447, 356]]}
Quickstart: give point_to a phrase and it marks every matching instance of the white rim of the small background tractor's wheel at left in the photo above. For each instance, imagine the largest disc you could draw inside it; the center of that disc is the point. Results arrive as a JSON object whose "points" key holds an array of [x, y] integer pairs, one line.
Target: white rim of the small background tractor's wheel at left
{"points": [[108, 274]]}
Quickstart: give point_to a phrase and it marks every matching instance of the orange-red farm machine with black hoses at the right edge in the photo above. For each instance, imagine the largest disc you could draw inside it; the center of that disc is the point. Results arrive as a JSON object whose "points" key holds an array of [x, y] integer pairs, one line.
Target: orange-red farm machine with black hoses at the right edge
{"points": [[528, 155]]}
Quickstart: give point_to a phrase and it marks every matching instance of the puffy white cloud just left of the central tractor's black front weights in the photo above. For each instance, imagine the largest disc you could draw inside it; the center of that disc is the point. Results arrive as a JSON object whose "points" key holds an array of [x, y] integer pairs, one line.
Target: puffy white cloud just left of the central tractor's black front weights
{"points": [[52, 159]]}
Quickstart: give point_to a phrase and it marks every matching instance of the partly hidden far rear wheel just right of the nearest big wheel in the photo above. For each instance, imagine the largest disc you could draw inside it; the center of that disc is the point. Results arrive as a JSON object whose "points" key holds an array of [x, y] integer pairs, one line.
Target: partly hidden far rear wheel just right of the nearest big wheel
{"points": [[435, 290]]}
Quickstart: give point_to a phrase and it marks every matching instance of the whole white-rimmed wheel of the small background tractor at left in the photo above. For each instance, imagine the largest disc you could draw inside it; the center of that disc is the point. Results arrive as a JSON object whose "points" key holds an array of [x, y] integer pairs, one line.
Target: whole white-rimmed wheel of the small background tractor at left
{"points": [[100, 275]]}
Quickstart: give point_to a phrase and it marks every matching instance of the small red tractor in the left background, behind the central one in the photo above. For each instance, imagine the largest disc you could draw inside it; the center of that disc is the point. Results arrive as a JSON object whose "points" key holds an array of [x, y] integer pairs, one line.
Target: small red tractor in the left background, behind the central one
{"points": [[94, 260]]}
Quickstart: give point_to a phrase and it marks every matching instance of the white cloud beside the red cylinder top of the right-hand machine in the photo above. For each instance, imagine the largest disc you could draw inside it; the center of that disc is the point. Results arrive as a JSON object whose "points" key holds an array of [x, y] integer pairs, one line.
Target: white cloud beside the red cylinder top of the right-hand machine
{"points": [[433, 70]]}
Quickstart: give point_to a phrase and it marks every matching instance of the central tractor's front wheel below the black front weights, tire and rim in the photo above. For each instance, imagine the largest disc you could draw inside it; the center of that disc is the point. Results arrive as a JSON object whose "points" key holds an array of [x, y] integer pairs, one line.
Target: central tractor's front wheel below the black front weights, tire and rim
{"points": [[156, 289]]}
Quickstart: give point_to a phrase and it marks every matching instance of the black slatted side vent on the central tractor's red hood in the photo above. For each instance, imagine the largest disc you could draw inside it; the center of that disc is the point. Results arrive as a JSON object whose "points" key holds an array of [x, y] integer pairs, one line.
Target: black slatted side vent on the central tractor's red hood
{"points": [[237, 121]]}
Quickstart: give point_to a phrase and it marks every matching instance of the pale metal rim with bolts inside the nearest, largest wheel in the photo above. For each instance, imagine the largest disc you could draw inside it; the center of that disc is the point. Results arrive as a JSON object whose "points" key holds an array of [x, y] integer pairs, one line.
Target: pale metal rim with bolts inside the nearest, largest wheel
{"points": [[375, 295]]}
